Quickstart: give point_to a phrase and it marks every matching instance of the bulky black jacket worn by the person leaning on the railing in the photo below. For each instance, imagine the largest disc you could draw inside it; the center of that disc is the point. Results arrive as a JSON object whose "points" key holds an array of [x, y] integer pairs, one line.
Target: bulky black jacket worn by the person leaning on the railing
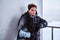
{"points": [[32, 25]]}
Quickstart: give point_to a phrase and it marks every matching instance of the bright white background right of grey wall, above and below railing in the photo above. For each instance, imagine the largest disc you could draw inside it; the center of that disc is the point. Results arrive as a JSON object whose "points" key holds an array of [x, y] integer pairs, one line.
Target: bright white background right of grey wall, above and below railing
{"points": [[51, 12]]}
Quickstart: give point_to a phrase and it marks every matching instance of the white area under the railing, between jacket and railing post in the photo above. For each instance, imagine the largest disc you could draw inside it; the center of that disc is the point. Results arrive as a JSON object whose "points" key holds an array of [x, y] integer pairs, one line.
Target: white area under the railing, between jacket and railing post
{"points": [[47, 33]]}
